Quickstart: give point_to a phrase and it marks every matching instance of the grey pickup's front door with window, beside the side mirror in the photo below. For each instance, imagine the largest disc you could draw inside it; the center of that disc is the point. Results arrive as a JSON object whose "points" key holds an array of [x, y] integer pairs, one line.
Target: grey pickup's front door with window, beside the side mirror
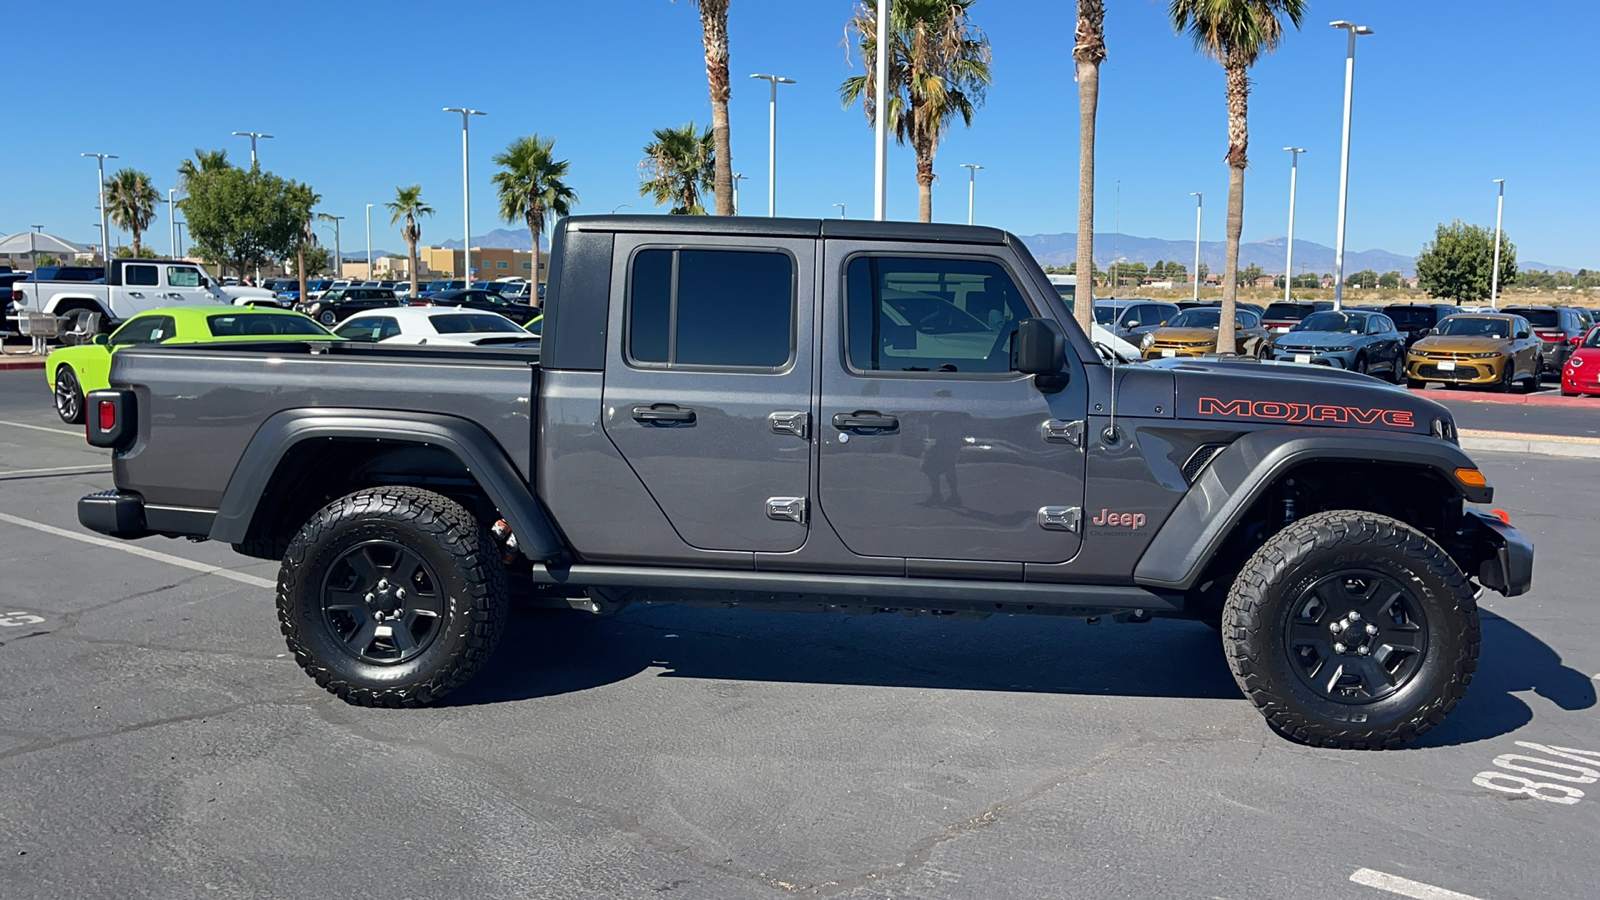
{"points": [[932, 444]]}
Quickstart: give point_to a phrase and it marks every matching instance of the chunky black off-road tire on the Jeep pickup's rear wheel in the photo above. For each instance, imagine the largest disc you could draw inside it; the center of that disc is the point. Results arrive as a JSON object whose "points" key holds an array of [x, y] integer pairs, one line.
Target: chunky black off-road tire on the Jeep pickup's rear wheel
{"points": [[441, 532]]}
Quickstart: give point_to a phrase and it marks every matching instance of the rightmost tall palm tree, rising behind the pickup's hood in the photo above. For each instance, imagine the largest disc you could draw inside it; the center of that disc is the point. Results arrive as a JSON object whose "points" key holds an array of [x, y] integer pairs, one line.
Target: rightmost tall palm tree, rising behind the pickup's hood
{"points": [[1236, 34]]}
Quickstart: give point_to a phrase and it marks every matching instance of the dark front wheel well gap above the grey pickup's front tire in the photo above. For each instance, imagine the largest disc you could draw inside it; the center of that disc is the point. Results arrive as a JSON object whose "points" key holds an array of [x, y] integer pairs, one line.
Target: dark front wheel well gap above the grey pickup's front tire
{"points": [[1417, 496]]}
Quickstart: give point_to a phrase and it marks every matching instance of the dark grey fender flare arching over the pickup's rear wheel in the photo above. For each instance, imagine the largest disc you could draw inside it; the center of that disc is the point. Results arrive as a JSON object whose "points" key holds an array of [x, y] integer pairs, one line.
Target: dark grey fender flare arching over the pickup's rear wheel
{"points": [[482, 457]]}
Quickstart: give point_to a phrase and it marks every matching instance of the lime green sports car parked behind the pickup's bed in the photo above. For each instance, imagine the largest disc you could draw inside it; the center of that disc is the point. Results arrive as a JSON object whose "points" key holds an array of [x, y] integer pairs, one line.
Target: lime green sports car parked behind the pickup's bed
{"points": [[74, 372]]}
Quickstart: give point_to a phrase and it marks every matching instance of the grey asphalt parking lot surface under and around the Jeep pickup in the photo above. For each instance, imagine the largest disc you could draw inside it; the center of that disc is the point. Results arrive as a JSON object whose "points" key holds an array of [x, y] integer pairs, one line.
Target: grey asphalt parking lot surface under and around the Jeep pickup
{"points": [[159, 742]]}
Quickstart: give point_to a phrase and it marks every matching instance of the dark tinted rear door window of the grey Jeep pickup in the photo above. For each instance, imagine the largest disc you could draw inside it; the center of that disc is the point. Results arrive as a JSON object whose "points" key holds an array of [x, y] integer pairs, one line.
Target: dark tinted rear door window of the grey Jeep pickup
{"points": [[711, 308]]}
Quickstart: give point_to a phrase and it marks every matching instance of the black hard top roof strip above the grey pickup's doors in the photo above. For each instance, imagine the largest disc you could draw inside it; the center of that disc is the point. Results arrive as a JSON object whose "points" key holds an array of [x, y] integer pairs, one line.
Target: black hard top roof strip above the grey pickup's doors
{"points": [[762, 227]]}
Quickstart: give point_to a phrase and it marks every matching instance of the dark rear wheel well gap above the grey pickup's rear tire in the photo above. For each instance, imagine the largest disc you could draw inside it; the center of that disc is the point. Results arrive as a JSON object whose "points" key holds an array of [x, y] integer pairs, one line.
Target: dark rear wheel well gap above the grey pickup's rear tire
{"points": [[318, 472]]}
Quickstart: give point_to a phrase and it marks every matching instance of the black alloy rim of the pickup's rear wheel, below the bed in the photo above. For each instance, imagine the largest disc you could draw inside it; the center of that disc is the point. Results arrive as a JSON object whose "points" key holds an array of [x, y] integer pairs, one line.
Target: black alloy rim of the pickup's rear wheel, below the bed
{"points": [[383, 603]]}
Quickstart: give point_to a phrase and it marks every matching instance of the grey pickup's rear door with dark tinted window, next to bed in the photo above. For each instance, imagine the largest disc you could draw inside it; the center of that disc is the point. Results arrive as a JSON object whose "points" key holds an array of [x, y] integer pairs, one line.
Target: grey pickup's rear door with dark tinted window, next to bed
{"points": [[708, 385]]}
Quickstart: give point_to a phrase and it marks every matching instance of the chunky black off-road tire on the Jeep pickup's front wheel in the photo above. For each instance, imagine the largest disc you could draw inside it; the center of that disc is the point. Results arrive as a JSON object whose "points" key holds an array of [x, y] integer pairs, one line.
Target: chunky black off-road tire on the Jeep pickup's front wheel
{"points": [[1265, 597]]}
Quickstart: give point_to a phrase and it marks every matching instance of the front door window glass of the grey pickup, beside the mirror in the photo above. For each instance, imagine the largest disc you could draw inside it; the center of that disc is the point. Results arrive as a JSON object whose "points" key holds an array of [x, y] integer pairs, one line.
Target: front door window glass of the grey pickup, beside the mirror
{"points": [[921, 315]]}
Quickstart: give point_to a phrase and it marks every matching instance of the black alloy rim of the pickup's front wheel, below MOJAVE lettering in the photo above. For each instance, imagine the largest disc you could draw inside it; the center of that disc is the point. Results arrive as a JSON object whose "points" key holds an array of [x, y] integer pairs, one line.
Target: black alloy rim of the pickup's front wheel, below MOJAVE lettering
{"points": [[1356, 637]]}
